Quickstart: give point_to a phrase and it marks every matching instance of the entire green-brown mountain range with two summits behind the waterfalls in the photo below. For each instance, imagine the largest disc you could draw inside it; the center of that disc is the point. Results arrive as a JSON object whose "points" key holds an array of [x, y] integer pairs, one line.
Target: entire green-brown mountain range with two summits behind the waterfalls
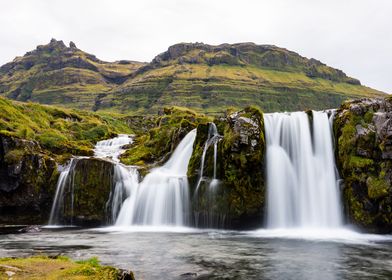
{"points": [[196, 75]]}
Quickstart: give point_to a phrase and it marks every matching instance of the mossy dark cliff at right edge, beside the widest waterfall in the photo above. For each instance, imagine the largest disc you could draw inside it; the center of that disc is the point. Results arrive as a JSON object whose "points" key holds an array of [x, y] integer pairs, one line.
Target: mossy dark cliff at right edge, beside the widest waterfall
{"points": [[363, 131]]}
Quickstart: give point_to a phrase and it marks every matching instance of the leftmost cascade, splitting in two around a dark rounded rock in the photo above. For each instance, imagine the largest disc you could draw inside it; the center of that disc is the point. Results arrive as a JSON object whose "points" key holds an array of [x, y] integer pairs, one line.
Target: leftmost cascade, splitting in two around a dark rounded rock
{"points": [[124, 179]]}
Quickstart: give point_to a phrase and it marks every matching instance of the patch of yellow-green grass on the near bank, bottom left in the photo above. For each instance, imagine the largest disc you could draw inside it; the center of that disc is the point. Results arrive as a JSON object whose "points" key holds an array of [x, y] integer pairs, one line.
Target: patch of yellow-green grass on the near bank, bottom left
{"points": [[43, 267]]}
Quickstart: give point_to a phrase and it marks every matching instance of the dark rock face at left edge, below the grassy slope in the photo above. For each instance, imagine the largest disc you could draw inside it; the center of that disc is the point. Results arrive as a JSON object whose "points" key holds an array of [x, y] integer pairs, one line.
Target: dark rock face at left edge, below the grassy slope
{"points": [[27, 180]]}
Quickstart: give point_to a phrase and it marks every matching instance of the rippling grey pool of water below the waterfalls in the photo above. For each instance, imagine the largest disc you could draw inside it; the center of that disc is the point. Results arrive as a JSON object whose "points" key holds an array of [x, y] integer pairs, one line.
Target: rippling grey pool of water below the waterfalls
{"points": [[195, 254]]}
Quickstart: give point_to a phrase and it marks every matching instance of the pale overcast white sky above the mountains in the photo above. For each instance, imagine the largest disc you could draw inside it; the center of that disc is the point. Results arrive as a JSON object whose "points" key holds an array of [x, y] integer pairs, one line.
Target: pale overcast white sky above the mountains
{"points": [[352, 35]]}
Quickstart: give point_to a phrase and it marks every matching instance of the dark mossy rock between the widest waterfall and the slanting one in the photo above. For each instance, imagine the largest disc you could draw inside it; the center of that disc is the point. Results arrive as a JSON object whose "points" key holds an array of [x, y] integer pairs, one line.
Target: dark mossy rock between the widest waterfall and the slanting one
{"points": [[236, 200]]}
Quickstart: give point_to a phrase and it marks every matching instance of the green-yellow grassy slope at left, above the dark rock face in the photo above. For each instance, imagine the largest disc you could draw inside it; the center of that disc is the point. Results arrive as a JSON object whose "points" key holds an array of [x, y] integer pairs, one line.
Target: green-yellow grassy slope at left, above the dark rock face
{"points": [[58, 130]]}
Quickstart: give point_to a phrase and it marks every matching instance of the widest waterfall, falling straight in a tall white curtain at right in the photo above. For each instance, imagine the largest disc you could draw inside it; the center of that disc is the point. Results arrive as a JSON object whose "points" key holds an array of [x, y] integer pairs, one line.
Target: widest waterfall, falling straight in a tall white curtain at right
{"points": [[302, 186]]}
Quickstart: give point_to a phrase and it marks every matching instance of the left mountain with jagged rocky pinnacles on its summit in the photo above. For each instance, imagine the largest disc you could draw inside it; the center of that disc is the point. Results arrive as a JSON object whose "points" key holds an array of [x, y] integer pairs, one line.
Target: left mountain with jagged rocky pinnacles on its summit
{"points": [[61, 75]]}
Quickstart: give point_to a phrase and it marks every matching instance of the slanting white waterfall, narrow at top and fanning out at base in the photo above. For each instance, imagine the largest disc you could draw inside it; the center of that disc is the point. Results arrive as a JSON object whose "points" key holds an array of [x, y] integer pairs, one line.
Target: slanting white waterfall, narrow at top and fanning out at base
{"points": [[162, 198]]}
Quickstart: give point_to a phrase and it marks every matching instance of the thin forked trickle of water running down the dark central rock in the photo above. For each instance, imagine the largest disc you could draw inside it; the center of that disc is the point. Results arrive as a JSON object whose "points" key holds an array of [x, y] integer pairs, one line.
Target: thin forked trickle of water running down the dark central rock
{"points": [[212, 139]]}
